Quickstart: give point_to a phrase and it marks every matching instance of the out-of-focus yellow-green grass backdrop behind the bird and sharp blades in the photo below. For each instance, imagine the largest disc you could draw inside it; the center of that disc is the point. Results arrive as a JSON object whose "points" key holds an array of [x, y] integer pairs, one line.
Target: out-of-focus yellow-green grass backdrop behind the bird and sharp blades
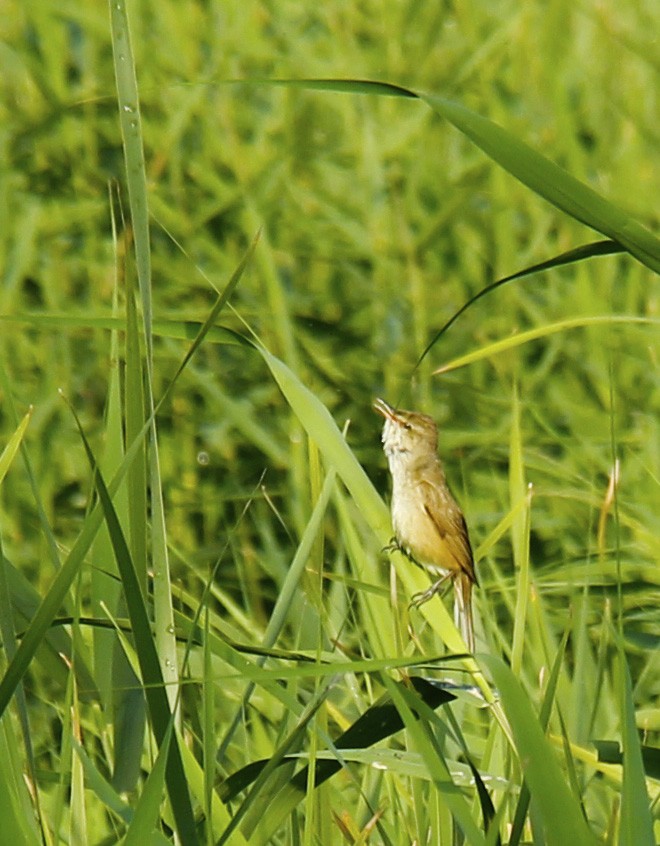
{"points": [[378, 221]]}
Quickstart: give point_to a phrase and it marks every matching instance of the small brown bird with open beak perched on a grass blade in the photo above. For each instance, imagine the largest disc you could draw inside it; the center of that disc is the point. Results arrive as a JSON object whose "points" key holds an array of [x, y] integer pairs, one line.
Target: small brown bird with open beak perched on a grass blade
{"points": [[429, 526]]}
